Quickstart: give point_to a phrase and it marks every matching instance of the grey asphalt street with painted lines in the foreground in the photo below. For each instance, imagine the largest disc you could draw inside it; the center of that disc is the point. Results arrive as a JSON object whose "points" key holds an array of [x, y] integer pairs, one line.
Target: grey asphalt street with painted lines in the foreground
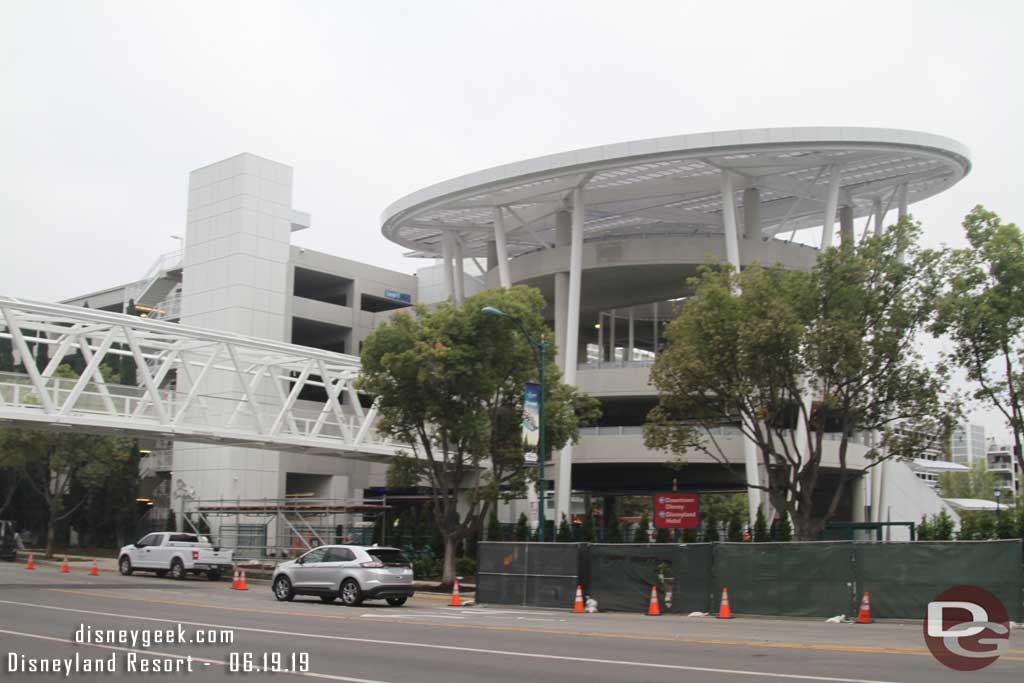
{"points": [[425, 642]]}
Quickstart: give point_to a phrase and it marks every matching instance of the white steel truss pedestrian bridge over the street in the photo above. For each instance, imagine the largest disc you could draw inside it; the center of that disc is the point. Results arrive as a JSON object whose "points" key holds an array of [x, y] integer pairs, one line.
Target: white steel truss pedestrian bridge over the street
{"points": [[194, 386]]}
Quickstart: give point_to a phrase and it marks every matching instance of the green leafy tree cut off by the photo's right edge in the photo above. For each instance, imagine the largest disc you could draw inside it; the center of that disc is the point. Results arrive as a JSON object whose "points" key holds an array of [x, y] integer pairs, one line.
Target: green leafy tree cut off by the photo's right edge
{"points": [[982, 310]]}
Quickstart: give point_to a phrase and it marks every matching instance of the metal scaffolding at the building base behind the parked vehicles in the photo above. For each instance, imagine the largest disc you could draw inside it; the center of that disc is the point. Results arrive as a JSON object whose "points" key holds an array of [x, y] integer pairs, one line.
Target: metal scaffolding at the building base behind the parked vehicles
{"points": [[280, 529]]}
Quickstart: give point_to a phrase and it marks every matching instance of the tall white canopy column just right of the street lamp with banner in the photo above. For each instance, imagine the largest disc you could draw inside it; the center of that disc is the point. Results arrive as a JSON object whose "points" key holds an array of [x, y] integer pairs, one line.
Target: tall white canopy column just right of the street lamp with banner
{"points": [[564, 485]]}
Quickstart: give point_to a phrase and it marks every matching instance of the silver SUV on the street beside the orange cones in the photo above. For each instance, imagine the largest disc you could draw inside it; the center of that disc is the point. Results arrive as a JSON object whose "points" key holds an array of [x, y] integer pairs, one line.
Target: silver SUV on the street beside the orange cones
{"points": [[353, 573]]}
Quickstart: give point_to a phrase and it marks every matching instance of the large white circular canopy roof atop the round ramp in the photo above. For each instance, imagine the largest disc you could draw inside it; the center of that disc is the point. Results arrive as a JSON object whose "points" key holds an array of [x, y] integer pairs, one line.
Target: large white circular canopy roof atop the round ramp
{"points": [[672, 187]]}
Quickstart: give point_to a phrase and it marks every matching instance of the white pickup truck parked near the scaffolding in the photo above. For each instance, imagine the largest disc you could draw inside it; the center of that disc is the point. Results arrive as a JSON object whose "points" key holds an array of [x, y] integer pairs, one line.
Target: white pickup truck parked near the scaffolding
{"points": [[177, 553]]}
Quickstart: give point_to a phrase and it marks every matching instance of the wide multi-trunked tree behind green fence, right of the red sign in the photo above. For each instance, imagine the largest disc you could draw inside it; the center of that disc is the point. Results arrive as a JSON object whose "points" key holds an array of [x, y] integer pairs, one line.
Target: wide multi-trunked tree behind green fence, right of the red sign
{"points": [[788, 357]]}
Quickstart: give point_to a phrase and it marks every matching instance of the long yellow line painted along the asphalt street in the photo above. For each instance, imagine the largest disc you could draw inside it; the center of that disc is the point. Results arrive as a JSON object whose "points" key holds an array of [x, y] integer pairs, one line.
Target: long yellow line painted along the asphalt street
{"points": [[824, 648]]}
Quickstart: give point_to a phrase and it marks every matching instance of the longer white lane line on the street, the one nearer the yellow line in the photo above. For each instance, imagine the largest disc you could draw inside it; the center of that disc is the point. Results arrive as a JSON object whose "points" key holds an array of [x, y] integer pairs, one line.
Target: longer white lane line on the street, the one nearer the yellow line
{"points": [[458, 649]]}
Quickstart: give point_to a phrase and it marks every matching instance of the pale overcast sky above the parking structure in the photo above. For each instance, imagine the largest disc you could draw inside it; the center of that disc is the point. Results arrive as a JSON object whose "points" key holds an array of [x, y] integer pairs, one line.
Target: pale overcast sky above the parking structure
{"points": [[106, 107]]}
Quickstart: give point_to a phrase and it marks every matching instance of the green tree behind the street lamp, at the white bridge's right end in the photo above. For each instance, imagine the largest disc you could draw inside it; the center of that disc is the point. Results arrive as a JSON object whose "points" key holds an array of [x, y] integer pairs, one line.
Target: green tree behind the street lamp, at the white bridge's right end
{"points": [[449, 385]]}
